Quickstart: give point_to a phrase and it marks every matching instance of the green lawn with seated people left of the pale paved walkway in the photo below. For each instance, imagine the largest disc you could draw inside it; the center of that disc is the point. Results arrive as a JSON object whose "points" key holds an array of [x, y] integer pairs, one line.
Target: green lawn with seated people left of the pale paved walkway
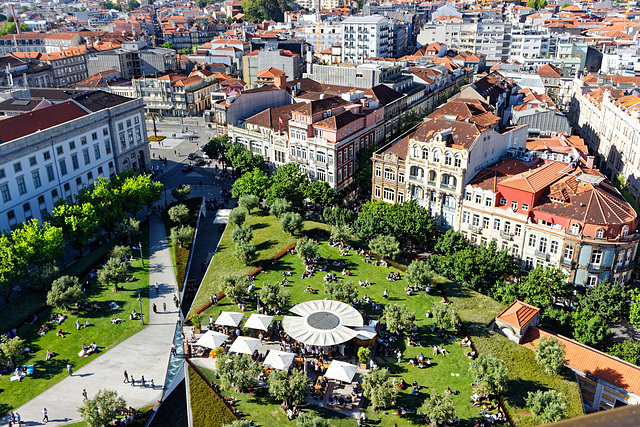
{"points": [[105, 335]]}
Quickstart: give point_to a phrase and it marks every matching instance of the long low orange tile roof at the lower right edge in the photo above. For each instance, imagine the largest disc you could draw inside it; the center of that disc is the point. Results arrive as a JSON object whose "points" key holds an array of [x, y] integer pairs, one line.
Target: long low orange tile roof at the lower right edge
{"points": [[591, 361]]}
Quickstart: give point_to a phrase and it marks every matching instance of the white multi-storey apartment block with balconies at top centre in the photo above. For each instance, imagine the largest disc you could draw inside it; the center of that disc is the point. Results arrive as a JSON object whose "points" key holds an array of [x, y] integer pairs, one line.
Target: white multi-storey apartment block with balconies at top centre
{"points": [[366, 37]]}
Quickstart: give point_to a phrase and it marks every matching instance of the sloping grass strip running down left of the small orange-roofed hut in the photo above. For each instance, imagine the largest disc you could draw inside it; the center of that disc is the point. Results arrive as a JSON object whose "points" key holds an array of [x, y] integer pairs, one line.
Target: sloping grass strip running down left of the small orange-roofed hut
{"points": [[476, 312]]}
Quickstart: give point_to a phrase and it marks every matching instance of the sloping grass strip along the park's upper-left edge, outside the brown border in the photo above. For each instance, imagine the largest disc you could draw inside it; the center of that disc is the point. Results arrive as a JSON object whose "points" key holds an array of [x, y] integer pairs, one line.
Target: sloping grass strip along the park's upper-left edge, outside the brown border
{"points": [[269, 239]]}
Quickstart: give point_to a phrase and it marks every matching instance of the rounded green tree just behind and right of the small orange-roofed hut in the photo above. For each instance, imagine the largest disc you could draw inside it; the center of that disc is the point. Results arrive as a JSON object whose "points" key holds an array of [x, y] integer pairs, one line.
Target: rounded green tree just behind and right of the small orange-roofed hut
{"points": [[543, 286]]}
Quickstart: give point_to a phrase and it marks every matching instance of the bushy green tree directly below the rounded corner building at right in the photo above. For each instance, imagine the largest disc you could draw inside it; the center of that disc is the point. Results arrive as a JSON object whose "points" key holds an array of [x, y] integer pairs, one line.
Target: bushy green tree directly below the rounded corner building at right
{"points": [[609, 300]]}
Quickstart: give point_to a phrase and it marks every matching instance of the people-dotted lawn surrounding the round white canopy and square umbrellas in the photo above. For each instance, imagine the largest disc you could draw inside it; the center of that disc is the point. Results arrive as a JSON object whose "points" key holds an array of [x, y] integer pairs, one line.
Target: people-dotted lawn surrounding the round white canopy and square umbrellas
{"points": [[438, 377]]}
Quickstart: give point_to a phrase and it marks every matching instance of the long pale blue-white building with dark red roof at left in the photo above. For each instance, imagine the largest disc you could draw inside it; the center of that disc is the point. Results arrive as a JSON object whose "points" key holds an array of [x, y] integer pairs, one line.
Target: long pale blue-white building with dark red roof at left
{"points": [[53, 152]]}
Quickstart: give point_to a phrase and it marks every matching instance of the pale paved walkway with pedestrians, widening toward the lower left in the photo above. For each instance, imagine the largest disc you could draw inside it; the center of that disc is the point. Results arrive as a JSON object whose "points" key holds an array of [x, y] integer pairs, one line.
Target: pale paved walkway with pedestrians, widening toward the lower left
{"points": [[145, 353]]}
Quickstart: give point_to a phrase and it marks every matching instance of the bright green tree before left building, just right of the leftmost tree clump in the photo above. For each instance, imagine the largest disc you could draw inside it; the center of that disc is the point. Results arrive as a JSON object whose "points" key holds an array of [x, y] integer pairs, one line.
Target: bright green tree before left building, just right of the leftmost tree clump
{"points": [[79, 222]]}
